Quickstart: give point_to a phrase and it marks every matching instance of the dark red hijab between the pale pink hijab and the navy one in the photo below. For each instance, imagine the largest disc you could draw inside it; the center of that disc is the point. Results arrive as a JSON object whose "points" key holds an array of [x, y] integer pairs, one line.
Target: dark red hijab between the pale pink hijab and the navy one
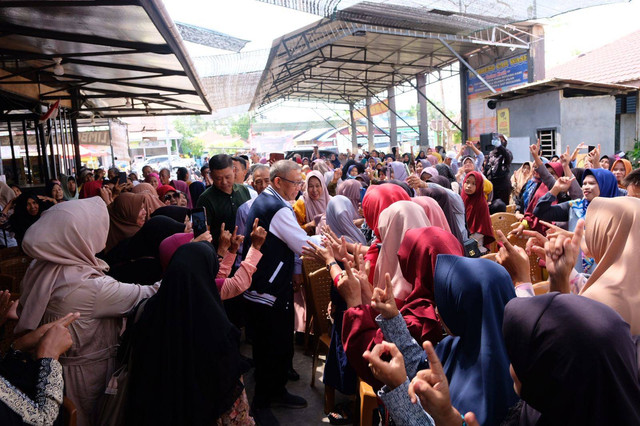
{"points": [[417, 256]]}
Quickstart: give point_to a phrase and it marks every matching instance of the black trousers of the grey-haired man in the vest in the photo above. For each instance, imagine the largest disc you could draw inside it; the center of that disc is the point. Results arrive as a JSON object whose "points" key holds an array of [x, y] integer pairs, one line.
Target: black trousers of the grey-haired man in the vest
{"points": [[272, 329]]}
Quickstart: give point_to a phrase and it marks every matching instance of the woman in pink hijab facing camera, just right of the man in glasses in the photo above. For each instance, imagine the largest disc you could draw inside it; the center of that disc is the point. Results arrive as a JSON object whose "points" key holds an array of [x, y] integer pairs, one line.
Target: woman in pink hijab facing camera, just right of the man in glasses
{"points": [[313, 203]]}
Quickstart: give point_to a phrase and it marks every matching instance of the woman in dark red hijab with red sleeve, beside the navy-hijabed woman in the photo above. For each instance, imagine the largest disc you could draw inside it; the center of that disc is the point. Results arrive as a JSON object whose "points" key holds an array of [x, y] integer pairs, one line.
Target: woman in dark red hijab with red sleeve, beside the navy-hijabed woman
{"points": [[416, 257]]}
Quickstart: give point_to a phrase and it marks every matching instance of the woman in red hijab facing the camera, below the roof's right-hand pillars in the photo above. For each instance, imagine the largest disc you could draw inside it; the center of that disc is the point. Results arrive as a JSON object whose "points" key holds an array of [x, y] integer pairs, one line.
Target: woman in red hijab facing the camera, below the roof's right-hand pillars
{"points": [[477, 210]]}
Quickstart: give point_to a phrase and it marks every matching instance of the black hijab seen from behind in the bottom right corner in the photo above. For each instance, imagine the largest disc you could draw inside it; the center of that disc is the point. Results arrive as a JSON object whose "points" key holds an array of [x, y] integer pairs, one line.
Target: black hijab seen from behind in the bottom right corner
{"points": [[576, 360]]}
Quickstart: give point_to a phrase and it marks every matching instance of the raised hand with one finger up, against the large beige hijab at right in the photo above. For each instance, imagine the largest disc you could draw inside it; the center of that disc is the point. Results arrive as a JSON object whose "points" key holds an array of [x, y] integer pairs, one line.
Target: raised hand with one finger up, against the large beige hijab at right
{"points": [[561, 253]]}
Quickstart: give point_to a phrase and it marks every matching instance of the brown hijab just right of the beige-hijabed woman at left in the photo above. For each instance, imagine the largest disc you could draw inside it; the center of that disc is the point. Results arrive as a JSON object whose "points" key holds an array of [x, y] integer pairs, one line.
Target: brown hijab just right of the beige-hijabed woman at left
{"points": [[126, 215]]}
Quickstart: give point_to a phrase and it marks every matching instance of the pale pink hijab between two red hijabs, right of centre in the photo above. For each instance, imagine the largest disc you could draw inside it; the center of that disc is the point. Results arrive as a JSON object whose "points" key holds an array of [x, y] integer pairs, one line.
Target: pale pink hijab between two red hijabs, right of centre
{"points": [[394, 222]]}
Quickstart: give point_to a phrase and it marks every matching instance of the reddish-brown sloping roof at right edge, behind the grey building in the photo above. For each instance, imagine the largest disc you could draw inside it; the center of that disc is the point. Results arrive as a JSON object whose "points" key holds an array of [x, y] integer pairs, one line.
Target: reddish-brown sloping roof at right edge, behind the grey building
{"points": [[616, 62]]}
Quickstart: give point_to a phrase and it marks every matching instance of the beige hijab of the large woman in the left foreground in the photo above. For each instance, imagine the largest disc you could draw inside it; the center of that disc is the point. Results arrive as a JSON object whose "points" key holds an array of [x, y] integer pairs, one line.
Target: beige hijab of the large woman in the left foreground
{"points": [[63, 244]]}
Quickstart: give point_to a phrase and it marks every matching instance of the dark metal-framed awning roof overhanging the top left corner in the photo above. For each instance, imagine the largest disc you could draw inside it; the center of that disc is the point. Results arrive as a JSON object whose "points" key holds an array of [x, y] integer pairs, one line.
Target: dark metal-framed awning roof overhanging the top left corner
{"points": [[124, 57]]}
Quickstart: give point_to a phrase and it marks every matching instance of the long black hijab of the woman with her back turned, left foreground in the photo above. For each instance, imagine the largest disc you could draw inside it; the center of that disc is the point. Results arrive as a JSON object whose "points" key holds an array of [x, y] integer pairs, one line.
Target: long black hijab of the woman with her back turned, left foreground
{"points": [[186, 366]]}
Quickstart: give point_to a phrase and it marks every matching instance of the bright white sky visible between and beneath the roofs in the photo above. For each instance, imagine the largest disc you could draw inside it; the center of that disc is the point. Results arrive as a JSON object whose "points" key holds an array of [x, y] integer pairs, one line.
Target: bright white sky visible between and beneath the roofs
{"points": [[566, 36]]}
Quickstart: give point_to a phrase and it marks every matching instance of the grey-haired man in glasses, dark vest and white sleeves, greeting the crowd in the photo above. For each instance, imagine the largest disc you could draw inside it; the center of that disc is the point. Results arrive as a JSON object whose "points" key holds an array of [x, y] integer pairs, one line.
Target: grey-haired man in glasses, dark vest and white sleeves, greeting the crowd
{"points": [[270, 297]]}
